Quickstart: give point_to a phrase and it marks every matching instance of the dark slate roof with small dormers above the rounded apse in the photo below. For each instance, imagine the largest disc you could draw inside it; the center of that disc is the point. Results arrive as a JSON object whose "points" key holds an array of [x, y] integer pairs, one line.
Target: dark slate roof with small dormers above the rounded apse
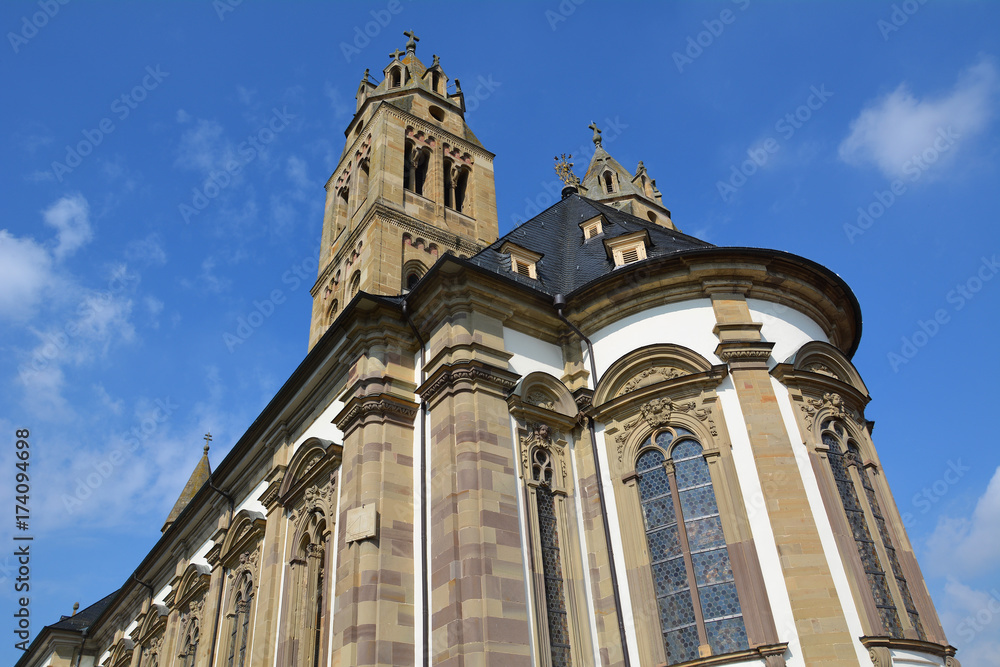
{"points": [[568, 261]]}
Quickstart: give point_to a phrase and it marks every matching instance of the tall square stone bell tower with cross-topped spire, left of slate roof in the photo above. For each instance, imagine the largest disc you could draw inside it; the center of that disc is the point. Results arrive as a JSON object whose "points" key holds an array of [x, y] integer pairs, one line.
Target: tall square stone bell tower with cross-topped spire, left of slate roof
{"points": [[413, 183]]}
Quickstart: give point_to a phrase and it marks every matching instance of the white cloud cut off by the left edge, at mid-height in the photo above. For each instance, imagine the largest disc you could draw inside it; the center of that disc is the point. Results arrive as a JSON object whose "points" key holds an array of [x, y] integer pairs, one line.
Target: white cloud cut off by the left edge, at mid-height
{"points": [[25, 273]]}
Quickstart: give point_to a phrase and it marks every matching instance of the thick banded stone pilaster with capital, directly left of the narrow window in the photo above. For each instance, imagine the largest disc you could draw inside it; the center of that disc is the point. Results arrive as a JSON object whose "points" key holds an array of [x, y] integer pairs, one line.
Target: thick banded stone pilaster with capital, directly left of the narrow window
{"points": [[478, 610]]}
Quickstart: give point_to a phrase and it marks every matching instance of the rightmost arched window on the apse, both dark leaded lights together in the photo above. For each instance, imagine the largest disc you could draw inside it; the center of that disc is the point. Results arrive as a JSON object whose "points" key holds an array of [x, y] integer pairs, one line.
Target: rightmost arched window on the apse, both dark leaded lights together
{"points": [[875, 547]]}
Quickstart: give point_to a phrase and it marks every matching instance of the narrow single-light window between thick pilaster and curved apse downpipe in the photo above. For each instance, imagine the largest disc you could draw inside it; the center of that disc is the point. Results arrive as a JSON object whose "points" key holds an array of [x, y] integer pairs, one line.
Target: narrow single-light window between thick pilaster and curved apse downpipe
{"points": [[551, 557]]}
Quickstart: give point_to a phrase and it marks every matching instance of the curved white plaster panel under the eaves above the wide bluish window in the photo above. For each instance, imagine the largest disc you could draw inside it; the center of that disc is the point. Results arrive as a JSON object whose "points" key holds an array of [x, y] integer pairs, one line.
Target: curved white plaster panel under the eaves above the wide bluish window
{"points": [[688, 323]]}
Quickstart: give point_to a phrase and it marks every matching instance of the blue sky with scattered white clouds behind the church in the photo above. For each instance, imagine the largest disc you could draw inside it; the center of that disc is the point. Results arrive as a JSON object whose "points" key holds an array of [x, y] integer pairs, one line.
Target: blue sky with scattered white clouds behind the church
{"points": [[860, 135]]}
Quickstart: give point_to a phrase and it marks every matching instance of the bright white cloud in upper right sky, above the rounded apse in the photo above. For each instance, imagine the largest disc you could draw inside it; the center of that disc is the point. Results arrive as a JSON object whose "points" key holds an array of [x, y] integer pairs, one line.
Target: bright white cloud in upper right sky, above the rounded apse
{"points": [[890, 131]]}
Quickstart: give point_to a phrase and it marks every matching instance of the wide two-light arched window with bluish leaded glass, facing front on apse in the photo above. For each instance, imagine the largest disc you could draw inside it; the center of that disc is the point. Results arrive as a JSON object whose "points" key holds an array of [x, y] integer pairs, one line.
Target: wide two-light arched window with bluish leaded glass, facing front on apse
{"points": [[692, 576]]}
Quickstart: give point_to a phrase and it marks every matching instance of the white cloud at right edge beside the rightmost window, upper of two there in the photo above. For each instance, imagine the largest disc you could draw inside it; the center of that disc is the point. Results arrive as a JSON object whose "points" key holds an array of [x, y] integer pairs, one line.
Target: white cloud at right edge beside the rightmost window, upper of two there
{"points": [[969, 544]]}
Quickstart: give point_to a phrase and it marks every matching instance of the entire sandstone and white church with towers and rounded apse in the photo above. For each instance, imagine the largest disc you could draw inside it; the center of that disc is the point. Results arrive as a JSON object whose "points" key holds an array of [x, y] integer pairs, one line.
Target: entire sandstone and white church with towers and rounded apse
{"points": [[595, 440]]}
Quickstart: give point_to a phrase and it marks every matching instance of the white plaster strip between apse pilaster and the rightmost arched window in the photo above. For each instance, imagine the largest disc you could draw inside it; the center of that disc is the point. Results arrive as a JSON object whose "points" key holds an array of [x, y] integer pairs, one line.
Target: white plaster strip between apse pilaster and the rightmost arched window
{"points": [[829, 542]]}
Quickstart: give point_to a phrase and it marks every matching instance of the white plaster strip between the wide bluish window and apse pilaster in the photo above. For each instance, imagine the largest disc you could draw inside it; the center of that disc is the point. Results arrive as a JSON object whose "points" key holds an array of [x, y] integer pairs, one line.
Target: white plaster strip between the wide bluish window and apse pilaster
{"points": [[760, 522]]}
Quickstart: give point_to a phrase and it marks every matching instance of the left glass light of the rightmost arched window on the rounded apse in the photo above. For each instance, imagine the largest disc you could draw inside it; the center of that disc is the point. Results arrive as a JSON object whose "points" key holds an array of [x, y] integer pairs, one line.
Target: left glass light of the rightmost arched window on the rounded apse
{"points": [[877, 583]]}
